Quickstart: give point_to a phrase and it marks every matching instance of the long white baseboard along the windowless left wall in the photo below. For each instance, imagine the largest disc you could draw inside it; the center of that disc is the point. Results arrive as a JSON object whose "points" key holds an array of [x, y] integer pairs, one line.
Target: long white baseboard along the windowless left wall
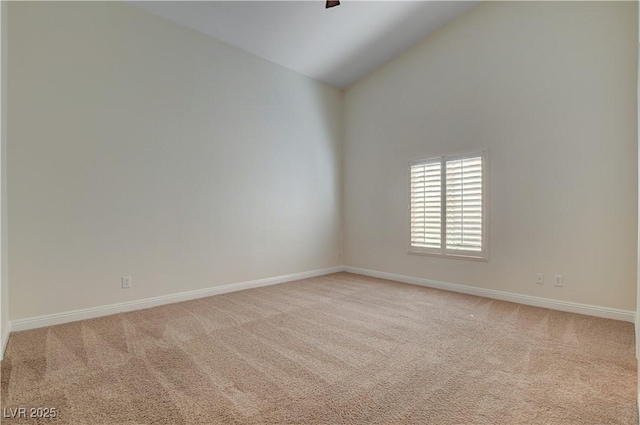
{"points": [[106, 310]]}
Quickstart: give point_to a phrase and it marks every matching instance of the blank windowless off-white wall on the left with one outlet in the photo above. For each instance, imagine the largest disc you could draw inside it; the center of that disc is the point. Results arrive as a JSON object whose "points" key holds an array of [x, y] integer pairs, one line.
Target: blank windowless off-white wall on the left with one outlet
{"points": [[142, 148]]}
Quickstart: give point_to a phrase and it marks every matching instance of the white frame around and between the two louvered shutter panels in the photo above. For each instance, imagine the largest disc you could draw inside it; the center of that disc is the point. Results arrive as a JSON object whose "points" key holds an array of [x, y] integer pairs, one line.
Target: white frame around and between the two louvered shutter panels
{"points": [[443, 252]]}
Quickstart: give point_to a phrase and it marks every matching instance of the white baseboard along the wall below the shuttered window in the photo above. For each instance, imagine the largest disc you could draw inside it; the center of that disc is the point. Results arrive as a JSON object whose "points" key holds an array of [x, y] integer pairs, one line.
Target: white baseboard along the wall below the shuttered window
{"points": [[590, 310]]}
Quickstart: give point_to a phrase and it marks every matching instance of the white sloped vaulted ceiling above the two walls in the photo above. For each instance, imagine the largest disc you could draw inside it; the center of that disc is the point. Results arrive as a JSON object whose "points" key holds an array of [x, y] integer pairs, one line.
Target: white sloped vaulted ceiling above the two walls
{"points": [[338, 45]]}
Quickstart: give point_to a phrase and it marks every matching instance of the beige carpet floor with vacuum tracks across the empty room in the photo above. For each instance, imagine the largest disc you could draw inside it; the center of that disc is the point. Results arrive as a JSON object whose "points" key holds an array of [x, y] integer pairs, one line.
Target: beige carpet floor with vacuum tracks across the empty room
{"points": [[338, 349]]}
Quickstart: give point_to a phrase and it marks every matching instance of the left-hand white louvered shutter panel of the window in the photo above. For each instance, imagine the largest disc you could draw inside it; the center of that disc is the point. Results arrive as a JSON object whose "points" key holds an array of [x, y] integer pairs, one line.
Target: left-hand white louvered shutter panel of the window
{"points": [[426, 205]]}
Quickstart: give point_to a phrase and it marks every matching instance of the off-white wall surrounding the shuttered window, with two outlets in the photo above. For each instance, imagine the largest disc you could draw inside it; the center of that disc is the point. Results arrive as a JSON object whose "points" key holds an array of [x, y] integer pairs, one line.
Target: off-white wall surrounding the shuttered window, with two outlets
{"points": [[550, 89]]}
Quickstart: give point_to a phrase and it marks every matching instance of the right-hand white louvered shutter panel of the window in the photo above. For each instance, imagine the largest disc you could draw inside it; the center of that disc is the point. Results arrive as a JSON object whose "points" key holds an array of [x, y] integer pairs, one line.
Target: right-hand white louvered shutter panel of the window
{"points": [[464, 204]]}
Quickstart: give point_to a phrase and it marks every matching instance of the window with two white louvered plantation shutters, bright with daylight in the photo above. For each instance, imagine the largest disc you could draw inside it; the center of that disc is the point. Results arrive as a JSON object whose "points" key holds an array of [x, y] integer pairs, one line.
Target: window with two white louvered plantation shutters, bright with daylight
{"points": [[448, 206]]}
